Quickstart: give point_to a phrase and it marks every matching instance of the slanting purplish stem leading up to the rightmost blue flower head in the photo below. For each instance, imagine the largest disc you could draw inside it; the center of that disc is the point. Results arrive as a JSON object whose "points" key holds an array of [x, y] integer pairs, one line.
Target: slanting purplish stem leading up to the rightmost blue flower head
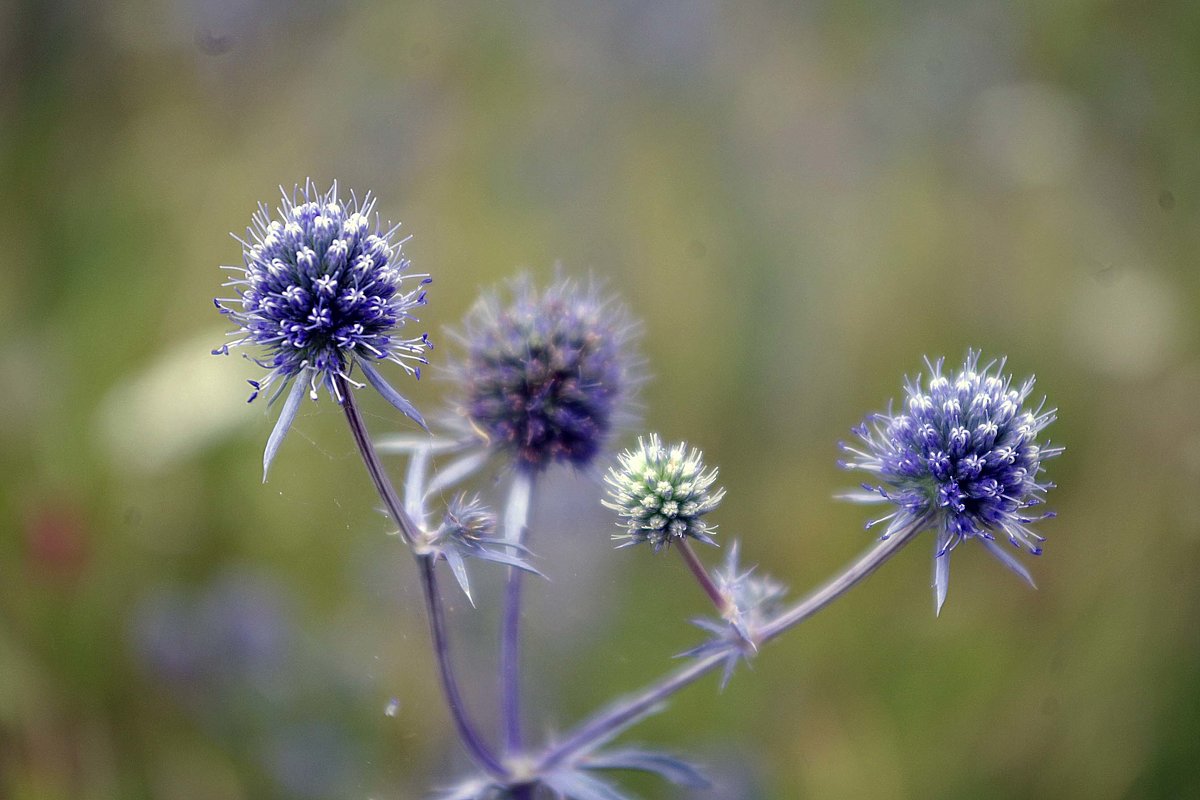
{"points": [[621, 713]]}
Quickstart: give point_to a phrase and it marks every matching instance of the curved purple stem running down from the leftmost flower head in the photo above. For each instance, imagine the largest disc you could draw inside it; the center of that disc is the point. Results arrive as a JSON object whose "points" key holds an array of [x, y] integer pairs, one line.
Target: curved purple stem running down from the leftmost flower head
{"points": [[467, 730]]}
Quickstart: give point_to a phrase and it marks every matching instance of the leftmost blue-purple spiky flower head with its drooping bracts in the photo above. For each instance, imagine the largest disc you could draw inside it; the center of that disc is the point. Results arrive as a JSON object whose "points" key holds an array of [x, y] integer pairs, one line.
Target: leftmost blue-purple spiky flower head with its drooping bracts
{"points": [[320, 292]]}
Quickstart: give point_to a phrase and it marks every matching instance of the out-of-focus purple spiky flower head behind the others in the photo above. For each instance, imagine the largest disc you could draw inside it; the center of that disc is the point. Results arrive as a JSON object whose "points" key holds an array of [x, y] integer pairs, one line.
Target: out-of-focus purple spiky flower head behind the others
{"points": [[547, 372]]}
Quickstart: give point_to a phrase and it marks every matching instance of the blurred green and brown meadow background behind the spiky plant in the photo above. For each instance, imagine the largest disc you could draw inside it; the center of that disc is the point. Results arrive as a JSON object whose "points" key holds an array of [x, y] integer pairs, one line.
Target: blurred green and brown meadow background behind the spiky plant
{"points": [[799, 200]]}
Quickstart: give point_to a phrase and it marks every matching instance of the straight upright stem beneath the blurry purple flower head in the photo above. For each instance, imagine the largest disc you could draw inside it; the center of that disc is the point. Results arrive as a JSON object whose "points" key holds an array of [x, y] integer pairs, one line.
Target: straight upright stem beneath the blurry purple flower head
{"points": [[517, 521]]}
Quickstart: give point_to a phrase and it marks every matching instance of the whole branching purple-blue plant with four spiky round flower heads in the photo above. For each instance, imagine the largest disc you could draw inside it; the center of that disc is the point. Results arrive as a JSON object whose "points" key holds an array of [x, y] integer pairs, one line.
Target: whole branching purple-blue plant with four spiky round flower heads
{"points": [[545, 378]]}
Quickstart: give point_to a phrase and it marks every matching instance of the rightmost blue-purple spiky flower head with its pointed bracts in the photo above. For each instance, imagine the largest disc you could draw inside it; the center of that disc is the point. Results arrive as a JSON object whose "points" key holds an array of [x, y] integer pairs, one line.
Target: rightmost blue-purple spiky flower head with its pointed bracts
{"points": [[962, 458]]}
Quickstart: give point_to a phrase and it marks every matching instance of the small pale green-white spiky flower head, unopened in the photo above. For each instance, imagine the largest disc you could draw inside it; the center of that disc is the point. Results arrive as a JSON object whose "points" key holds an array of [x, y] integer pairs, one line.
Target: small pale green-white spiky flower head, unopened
{"points": [[662, 495]]}
